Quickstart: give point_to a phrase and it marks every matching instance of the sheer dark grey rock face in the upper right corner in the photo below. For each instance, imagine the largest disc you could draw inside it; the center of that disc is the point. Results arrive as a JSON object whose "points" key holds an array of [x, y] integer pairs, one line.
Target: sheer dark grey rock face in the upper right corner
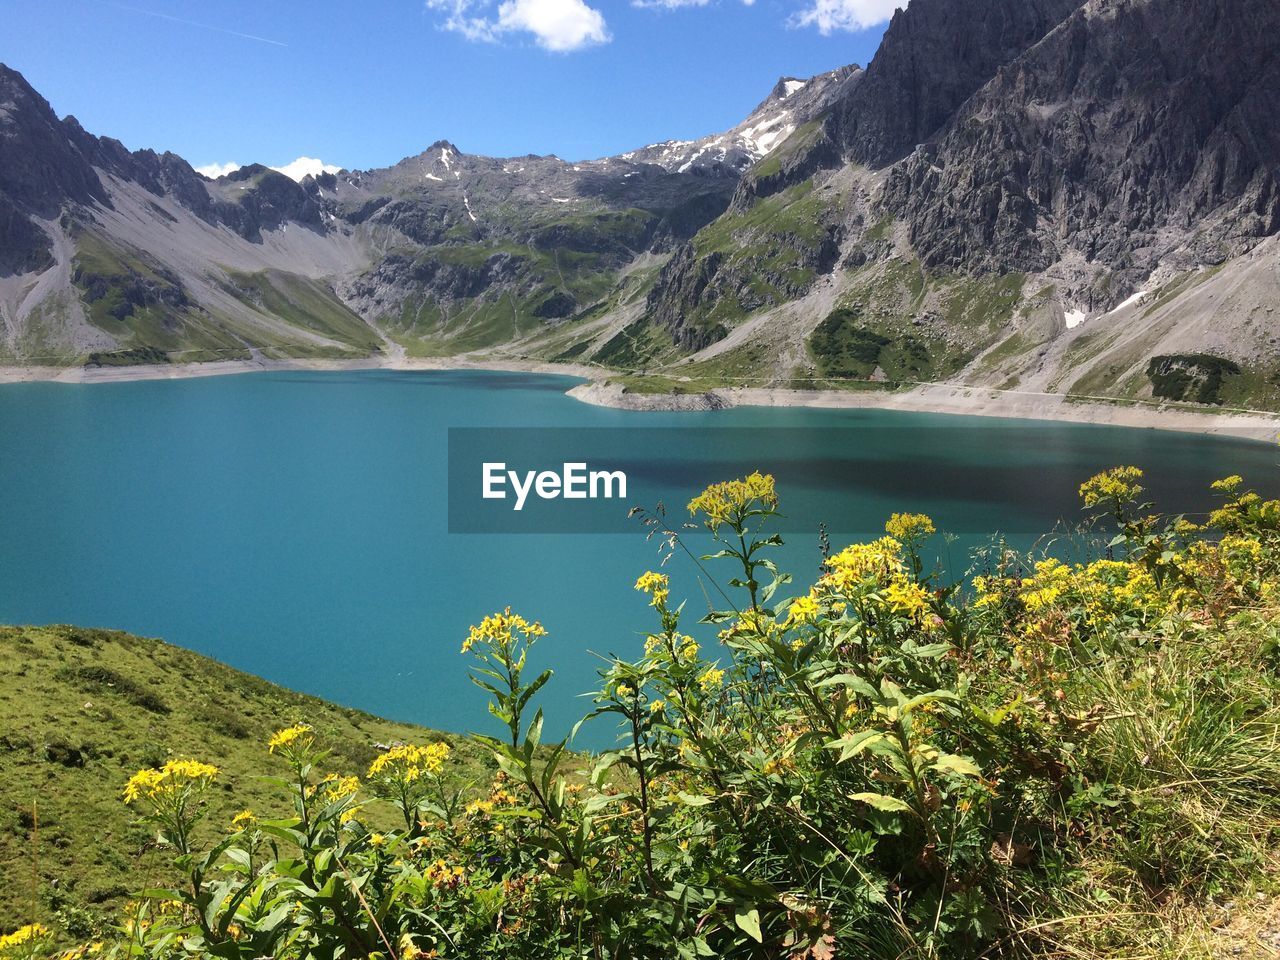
{"points": [[1131, 118]]}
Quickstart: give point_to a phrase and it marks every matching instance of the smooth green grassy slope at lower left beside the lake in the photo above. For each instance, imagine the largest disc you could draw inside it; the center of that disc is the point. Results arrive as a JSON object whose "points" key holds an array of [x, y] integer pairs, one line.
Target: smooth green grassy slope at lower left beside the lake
{"points": [[83, 710]]}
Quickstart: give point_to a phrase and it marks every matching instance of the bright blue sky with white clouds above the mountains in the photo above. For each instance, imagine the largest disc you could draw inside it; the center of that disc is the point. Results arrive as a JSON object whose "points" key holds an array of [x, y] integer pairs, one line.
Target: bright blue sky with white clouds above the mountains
{"points": [[363, 85]]}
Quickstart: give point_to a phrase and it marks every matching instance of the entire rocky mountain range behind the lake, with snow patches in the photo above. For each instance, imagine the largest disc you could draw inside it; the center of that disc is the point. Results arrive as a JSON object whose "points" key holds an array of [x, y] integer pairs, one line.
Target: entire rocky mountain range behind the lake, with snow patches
{"points": [[1034, 195]]}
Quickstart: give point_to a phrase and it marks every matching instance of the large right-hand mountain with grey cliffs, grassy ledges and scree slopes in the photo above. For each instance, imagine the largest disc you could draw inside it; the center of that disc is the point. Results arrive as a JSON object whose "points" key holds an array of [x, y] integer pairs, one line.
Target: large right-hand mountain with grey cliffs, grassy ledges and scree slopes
{"points": [[1046, 194]]}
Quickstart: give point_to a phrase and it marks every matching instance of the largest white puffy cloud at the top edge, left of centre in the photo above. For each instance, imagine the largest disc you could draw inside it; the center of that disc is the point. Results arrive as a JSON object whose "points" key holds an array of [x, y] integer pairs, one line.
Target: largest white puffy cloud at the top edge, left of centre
{"points": [[560, 26]]}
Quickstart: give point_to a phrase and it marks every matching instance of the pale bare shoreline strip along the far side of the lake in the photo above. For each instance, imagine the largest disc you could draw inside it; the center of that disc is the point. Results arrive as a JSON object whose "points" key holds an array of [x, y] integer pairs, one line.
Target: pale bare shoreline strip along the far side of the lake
{"points": [[934, 399]]}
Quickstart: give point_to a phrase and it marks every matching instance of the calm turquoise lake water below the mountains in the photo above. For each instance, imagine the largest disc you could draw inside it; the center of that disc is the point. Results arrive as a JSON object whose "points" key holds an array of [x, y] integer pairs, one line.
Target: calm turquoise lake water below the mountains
{"points": [[298, 527]]}
